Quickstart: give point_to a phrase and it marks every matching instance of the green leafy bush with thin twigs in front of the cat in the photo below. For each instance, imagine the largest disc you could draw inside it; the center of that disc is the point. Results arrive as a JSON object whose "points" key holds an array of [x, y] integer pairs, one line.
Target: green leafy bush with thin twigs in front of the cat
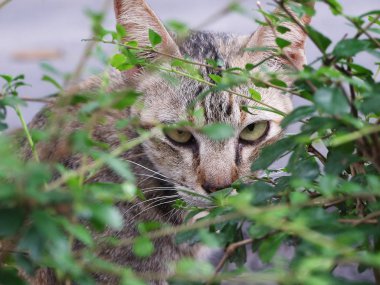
{"points": [[323, 201]]}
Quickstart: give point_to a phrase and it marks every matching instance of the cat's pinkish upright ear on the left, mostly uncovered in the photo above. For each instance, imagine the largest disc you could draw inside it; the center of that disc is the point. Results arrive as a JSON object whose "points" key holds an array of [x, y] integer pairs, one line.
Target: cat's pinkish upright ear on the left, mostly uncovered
{"points": [[137, 18]]}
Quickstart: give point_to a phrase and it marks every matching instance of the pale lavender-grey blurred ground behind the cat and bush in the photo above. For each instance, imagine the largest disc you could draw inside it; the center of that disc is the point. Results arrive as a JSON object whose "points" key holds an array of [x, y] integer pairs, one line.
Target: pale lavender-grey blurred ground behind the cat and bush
{"points": [[41, 31]]}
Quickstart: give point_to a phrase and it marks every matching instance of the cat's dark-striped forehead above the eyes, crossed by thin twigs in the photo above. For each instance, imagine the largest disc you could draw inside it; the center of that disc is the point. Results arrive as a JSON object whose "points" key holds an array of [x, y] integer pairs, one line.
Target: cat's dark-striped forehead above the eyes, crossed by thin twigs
{"points": [[168, 102]]}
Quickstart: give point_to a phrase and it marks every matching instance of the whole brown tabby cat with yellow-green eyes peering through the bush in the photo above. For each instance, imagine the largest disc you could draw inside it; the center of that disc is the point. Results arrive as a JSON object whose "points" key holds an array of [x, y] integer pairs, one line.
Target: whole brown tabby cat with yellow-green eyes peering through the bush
{"points": [[176, 159]]}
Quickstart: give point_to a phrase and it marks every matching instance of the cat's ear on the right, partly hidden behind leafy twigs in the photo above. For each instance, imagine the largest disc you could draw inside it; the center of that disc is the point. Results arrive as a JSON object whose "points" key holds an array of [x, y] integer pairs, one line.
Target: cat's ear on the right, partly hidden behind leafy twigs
{"points": [[265, 36]]}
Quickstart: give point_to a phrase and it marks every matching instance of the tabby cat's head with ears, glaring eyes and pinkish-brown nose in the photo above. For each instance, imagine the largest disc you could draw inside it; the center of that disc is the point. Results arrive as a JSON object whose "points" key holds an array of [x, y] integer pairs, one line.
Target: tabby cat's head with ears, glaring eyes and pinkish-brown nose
{"points": [[187, 156]]}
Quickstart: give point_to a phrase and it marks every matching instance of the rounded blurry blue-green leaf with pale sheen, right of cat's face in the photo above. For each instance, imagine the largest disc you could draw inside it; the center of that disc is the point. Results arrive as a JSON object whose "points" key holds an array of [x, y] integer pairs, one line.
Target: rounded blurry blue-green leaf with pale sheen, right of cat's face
{"points": [[331, 101]]}
